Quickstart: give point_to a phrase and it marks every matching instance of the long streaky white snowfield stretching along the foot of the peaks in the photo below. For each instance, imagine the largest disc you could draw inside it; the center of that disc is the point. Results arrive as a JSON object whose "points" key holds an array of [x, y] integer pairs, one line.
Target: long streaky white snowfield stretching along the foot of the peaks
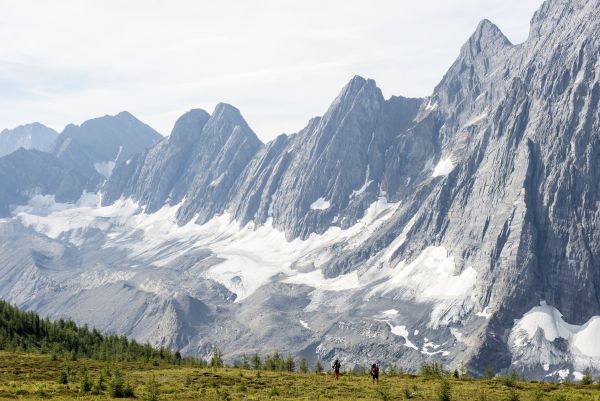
{"points": [[247, 258]]}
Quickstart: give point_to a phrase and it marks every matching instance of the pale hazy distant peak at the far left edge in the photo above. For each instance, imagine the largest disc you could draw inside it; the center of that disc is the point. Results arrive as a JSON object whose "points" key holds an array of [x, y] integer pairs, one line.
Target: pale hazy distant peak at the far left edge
{"points": [[30, 136]]}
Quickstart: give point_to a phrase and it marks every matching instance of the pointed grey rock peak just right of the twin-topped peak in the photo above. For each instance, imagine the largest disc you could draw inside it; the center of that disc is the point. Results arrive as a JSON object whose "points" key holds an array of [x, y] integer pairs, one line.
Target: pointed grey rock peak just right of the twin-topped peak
{"points": [[330, 172]]}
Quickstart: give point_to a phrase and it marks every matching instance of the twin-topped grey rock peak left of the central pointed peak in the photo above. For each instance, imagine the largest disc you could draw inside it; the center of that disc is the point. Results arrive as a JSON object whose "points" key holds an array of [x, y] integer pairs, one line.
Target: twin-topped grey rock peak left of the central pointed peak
{"points": [[199, 162]]}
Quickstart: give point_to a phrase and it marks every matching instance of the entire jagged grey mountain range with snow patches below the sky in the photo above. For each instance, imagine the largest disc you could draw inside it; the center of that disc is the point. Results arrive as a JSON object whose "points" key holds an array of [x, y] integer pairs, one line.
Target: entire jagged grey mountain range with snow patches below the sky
{"points": [[463, 227]]}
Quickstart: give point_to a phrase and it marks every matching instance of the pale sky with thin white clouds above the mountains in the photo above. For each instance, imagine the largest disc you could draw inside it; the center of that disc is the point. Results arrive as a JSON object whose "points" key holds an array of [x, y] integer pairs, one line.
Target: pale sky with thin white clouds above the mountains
{"points": [[280, 62]]}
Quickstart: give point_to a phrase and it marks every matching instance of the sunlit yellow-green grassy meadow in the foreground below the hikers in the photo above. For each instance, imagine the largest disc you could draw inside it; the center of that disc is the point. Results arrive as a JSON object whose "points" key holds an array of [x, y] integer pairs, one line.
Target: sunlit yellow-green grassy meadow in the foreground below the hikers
{"points": [[30, 376]]}
